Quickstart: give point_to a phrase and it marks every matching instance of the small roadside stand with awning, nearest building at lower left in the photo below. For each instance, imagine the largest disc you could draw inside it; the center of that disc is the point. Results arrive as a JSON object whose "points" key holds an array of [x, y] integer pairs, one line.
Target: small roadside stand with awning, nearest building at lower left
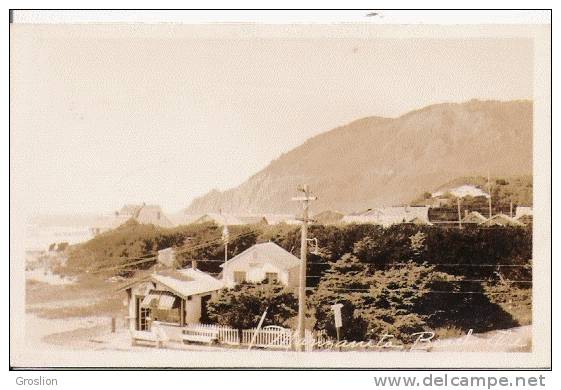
{"points": [[172, 297]]}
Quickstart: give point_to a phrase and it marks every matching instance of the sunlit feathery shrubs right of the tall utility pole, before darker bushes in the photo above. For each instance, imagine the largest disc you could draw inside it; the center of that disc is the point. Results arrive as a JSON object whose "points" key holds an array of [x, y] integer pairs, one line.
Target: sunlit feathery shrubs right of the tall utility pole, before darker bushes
{"points": [[401, 301]]}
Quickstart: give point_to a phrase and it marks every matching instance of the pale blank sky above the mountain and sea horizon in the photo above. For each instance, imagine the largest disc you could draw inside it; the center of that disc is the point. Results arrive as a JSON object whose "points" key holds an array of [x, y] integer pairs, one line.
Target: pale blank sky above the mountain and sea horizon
{"points": [[153, 114]]}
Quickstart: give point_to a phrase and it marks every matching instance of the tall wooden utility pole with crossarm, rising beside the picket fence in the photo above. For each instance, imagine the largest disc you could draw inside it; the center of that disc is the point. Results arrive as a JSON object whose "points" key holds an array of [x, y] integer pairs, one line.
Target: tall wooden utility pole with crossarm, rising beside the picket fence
{"points": [[305, 200]]}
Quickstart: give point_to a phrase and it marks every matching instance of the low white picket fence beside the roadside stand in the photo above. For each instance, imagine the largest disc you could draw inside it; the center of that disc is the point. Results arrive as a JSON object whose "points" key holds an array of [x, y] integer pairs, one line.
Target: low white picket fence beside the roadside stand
{"points": [[268, 337]]}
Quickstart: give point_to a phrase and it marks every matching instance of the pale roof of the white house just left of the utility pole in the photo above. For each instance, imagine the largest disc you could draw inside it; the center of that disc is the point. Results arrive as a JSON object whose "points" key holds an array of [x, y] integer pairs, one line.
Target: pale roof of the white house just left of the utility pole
{"points": [[267, 253]]}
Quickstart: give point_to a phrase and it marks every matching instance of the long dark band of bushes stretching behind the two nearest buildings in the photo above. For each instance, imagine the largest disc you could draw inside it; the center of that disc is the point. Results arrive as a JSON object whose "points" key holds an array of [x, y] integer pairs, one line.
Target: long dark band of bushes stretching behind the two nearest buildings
{"points": [[474, 252]]}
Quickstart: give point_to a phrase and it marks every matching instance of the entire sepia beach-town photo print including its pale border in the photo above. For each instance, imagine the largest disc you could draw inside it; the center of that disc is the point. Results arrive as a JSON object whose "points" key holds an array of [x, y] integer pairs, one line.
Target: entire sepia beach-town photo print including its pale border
{"points": [[291, 190]]}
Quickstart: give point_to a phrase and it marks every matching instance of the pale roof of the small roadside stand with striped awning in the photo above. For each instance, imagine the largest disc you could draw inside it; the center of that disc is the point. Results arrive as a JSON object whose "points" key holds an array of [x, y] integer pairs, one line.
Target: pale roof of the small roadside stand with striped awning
{"points": [[184, 282]]}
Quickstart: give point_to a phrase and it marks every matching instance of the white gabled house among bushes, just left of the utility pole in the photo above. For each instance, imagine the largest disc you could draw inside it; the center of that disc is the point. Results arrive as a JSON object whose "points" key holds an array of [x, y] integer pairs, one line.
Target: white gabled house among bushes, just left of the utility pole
{"points": [[261, 263]]}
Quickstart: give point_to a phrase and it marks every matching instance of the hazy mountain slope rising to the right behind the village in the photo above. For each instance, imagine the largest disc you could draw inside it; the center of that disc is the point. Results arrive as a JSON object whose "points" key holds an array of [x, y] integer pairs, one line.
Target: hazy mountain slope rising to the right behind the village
{"points": [[387, 161]]}
